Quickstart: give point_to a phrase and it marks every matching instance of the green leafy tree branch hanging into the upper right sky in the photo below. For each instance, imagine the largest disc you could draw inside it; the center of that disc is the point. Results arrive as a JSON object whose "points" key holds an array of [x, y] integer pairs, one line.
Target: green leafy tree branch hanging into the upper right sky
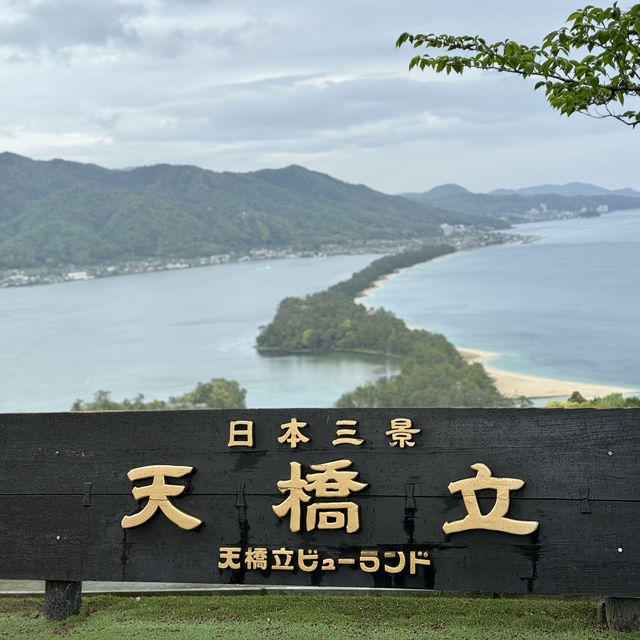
{"points": [[591, 66]]}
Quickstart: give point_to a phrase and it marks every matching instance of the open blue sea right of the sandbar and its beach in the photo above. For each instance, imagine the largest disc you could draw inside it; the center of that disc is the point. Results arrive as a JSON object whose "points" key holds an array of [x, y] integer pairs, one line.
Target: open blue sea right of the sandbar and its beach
{"points": [[566, 306]]}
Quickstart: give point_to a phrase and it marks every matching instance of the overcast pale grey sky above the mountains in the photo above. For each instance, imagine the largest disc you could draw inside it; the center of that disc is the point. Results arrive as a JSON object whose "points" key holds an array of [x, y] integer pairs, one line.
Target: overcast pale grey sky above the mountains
{"points": [[251, 84]]}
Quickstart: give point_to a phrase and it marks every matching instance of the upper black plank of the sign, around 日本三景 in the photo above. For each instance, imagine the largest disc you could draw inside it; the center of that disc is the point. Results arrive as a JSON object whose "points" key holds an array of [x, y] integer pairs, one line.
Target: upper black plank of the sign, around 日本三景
{"points": [[559, 454]]}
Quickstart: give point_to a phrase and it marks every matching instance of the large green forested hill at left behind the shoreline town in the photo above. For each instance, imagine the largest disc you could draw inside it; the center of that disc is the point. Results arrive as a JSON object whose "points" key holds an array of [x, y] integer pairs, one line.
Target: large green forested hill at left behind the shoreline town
{"points": [[60, 212]]}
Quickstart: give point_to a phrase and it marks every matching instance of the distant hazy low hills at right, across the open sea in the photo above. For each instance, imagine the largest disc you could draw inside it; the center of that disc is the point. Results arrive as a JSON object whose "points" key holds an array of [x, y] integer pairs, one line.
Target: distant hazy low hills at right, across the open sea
{"points": [[529, 203]]}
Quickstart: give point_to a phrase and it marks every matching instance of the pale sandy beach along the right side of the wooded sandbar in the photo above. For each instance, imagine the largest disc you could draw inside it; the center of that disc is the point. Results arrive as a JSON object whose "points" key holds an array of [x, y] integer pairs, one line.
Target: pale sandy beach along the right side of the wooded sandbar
{"points": [[509, 383]]}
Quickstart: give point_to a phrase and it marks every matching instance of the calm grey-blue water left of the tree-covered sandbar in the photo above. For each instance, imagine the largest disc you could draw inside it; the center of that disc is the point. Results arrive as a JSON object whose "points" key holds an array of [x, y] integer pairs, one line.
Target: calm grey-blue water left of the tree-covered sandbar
{"points": [[161, 333]]}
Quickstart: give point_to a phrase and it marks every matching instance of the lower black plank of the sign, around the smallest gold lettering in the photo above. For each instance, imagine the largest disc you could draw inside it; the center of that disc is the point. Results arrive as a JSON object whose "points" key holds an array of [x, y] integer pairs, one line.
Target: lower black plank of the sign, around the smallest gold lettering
{"points": [[572, 552]]}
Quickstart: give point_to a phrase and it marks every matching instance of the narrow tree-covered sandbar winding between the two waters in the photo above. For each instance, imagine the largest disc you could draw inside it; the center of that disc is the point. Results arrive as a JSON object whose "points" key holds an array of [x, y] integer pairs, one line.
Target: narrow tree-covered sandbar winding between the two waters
{"points": [[431, 371]]}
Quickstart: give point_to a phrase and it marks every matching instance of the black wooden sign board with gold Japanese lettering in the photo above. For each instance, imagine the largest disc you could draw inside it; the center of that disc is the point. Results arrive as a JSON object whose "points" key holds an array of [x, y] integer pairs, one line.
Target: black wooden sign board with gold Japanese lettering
{"points": [[520, 501]]}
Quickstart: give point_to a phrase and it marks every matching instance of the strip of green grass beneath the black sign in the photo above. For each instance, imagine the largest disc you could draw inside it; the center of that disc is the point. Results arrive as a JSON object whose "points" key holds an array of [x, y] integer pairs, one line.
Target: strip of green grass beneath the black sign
{"points": [[309, 616]]}
